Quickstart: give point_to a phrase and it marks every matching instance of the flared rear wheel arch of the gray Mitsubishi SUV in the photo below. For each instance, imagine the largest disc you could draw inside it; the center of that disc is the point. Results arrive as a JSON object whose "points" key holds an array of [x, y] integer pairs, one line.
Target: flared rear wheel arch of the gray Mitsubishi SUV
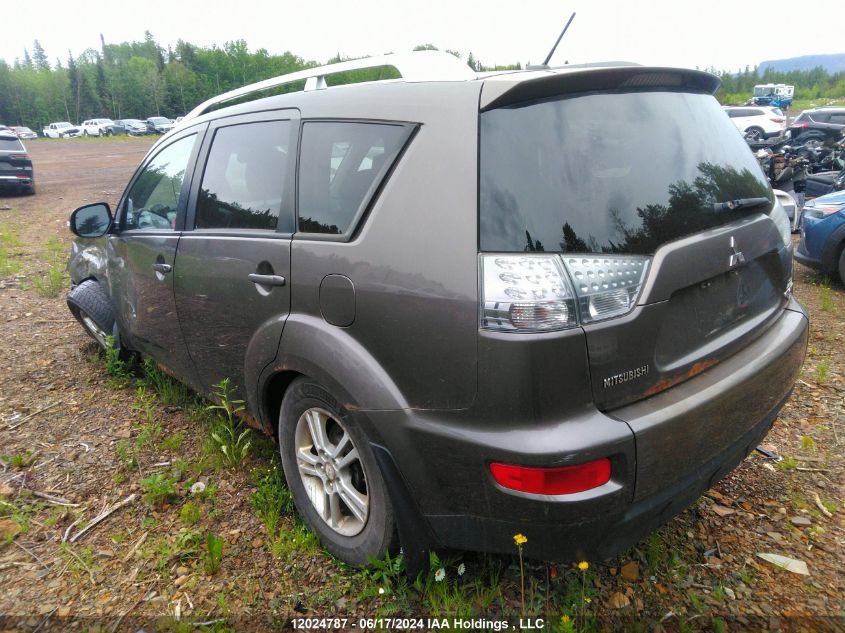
{"points": [[332, 357]]}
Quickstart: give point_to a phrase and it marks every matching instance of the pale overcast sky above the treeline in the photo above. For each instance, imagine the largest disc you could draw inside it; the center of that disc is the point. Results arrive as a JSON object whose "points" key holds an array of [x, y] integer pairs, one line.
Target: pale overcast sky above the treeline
{"points": [[721, 33]]}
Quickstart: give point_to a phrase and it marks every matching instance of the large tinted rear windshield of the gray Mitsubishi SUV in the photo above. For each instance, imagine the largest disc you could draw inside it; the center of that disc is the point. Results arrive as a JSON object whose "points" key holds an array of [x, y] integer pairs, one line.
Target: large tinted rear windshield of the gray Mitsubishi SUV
{"points": [[610, 172]]}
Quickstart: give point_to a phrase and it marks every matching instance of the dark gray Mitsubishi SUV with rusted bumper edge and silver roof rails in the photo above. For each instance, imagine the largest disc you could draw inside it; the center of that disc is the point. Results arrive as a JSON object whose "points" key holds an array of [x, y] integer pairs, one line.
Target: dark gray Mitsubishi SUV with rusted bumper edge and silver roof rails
{"points": [[555, 302]]}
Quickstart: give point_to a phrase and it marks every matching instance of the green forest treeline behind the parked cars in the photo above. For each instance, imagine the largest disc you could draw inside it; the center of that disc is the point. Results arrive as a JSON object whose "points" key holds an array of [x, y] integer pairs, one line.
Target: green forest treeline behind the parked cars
{"points": [[142, 79]]}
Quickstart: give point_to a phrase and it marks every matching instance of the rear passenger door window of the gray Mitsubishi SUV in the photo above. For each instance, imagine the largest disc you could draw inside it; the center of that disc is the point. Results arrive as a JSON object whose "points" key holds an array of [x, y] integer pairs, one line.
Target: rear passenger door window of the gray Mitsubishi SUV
{"points": [[243, 183]]}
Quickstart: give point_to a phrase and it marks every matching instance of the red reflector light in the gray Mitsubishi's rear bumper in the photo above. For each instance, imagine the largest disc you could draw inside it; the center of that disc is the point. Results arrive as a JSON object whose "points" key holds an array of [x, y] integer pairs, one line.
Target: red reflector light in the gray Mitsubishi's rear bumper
{"points": [[552, 481]]}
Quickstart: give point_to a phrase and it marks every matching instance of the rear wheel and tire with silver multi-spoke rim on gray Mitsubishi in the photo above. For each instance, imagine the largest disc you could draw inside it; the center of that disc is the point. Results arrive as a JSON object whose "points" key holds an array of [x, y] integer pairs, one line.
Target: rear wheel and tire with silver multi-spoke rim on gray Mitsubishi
{"points": [[332, 473]]}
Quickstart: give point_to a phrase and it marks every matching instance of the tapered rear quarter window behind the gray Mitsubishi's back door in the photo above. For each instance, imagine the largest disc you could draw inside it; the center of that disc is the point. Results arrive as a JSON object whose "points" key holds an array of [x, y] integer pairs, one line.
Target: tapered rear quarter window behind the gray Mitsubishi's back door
{"points": [[340, 164]]}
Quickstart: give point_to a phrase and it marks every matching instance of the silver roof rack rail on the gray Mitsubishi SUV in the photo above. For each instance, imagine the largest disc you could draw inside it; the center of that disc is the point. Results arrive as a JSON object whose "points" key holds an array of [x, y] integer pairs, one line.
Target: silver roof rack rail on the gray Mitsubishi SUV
{"points": [[415, 66]]}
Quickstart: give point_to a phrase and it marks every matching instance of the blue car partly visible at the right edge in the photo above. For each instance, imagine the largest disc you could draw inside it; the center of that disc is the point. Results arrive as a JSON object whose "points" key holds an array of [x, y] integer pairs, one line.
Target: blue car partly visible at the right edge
{"points": [[822, 245]]}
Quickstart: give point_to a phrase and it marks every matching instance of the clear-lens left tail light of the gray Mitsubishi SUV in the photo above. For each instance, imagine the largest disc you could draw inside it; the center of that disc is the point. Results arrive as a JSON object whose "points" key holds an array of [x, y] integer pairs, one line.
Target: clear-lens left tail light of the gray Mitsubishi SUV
{"points": [[542, 293]]}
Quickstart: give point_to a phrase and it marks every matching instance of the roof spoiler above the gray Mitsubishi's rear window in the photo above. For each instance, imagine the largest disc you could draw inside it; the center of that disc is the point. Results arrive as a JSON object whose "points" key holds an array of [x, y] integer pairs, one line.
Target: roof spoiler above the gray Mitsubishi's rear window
{"points": [[508, 90]]}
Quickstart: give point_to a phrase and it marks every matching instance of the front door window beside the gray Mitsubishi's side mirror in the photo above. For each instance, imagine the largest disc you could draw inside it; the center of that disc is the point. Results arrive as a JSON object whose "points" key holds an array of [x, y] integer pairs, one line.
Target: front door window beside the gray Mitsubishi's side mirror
{"points": [[153, 201]]}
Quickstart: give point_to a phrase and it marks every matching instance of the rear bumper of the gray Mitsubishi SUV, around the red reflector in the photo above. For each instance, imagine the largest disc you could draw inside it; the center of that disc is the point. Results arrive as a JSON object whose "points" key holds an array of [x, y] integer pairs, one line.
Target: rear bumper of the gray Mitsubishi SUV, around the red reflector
{"points": [[665, 451]]}
